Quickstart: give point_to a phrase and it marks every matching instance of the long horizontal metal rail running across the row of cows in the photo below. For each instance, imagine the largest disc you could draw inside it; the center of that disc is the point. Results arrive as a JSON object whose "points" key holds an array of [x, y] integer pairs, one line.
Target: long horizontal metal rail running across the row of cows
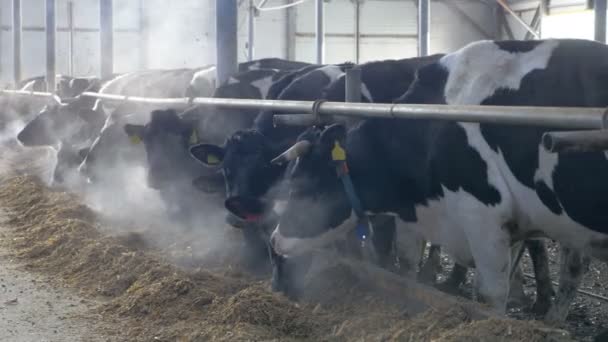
{"points": [[592, 123]]}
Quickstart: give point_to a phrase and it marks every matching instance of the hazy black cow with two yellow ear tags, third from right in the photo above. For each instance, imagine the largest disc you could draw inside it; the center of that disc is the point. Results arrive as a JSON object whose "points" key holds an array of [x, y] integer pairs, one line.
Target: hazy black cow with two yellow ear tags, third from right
{"points": [[166, 138]]}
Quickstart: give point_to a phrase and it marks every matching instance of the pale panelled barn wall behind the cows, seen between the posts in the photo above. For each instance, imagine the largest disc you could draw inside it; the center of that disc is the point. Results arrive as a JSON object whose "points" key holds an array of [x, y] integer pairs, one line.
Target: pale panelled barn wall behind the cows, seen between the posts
{"points": [[182, 32]]}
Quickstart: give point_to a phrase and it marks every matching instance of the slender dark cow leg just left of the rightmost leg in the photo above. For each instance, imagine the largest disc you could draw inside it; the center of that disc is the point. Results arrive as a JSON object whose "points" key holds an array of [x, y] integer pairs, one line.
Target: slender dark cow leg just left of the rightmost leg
{"points": [[544, 288]]}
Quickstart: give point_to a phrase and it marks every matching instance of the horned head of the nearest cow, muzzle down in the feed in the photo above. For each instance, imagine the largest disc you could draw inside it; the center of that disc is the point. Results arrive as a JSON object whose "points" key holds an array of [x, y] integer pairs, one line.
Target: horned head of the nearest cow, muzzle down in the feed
{"points": [[317, 200]]}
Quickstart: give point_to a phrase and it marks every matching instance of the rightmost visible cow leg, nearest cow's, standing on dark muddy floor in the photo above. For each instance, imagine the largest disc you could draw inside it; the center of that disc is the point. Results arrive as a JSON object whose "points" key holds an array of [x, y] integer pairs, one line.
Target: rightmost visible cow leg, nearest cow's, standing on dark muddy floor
{"points": [[573, 266]]}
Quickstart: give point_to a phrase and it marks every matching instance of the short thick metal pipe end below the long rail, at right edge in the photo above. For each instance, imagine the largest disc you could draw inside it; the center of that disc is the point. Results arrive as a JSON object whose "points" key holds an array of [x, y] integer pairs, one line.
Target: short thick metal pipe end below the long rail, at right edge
{"points": [[576, 141]]}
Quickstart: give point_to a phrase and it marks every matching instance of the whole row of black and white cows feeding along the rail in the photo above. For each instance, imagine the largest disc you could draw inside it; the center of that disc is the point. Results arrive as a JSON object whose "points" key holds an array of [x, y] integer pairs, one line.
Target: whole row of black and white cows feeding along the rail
{"points": [[479, 192]]}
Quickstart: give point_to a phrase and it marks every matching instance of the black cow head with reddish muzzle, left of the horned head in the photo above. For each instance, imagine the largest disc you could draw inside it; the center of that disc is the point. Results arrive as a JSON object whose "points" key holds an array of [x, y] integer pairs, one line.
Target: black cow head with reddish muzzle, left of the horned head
{"points": [[245, 161]]}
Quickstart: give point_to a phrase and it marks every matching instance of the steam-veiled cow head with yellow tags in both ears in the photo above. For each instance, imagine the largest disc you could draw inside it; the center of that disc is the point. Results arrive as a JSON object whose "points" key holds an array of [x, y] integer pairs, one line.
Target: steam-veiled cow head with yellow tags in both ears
{"points": [[166, 139]]}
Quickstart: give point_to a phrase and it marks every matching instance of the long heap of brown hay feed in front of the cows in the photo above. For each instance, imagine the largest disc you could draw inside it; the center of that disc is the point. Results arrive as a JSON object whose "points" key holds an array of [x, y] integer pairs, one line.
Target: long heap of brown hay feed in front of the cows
{"points": [[151, 299]]}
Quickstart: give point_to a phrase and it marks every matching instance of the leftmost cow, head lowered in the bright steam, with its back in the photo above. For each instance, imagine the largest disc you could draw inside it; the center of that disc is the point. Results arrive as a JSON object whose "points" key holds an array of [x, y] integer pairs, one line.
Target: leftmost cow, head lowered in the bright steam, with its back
{"points": [[71, 128]]}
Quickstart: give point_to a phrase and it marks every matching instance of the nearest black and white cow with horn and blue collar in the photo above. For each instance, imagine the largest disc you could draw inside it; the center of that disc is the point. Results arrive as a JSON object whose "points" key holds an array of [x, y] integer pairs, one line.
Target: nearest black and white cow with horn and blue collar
{"points": [[473, 188]]}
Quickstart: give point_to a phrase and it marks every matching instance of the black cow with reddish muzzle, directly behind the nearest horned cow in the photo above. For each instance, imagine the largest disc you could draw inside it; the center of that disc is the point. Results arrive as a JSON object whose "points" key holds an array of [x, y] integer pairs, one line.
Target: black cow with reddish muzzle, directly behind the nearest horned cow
{"points": [[247, 154]]}
